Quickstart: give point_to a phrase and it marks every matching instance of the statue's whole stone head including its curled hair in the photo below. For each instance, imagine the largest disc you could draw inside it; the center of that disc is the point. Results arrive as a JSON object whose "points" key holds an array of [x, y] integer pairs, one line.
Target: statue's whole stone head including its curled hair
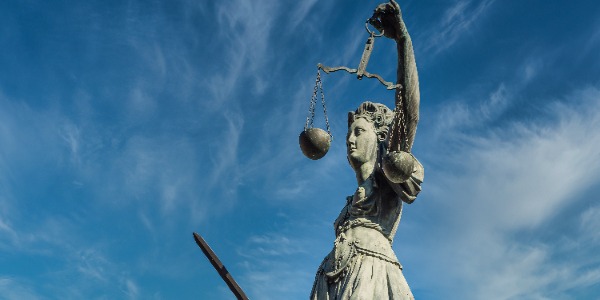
{"points": [[367, 132]]}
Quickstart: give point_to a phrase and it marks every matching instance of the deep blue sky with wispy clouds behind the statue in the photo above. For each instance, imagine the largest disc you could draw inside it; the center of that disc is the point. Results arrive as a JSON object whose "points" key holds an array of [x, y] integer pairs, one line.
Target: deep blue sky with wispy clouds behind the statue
{"points": [[127, 125]]}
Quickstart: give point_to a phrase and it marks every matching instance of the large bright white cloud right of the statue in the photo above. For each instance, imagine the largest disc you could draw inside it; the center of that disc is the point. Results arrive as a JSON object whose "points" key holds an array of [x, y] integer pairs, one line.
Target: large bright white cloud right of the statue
{"points": [[514, 181]]}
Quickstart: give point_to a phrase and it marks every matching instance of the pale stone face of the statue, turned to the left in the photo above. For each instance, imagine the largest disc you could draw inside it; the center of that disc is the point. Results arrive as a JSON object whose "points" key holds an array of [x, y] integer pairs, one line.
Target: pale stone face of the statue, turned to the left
{"points": [[361, 142]]}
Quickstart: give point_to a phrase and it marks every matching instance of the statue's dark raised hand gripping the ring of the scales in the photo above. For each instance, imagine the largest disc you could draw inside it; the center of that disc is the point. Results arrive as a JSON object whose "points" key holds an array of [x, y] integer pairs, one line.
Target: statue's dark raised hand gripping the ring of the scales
{"points": [[387, 17]]}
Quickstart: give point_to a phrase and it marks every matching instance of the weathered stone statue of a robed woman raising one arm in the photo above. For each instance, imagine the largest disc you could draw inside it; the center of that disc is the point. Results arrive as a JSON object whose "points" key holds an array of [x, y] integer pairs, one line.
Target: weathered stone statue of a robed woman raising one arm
{"points": [[362, 264]]}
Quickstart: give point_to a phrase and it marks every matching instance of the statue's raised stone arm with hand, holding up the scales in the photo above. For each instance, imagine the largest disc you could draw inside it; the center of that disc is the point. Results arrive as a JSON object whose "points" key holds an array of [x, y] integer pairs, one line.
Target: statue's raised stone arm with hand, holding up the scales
{"points": [[387, 18]]}
